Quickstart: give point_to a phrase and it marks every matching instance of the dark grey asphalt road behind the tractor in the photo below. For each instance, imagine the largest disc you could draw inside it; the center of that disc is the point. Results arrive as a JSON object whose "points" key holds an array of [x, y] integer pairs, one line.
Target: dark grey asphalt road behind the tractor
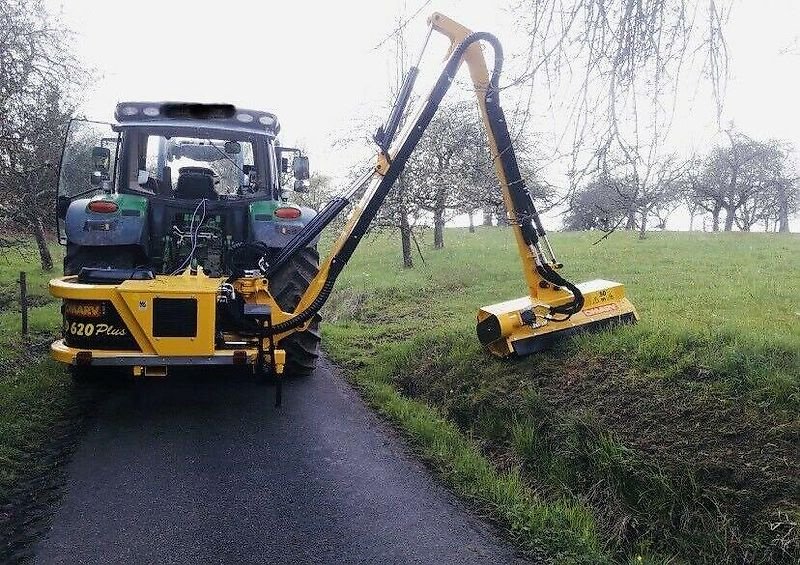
{"points": [[203, 469]]}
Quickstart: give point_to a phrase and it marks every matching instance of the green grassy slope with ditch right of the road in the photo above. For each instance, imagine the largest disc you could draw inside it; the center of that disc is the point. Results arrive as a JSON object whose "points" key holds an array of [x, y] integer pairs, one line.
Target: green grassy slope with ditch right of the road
{"points": [[675, 438]]}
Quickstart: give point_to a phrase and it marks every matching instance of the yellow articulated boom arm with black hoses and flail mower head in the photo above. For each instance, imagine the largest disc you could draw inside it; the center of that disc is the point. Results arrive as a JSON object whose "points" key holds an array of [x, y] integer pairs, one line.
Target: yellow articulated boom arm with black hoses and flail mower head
{"points": [[518, 326]]}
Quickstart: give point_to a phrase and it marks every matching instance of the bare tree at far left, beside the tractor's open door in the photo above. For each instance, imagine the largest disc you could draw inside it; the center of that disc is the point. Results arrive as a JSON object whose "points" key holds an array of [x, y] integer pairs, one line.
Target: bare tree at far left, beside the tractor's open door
{"points": [[37, 69]]}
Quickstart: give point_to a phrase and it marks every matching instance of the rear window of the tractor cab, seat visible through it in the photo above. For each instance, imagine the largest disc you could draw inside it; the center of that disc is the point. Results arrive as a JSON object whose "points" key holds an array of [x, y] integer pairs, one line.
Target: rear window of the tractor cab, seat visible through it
{"points": [[192, 167]]}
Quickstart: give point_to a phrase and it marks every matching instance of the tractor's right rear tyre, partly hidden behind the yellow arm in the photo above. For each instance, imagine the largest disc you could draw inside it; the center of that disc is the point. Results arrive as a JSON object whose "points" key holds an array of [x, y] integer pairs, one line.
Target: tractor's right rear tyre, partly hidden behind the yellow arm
{"points": [[287, 287]]}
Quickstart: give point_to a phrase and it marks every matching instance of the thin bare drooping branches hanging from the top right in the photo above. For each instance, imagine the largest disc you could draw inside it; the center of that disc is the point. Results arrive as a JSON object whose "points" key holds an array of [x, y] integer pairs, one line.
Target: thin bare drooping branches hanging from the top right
{"points": [[594, 60]]}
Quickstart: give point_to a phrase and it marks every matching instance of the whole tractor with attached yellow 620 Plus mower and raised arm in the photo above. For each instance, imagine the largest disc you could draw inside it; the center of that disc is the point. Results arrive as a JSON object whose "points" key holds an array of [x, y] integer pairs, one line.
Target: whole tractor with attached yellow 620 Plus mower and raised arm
{"points": [[183, 249]]}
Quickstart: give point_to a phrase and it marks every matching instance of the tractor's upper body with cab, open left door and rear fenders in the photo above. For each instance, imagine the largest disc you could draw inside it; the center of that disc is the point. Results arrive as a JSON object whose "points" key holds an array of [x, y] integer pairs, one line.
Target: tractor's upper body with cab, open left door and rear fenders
{"points": [[169, 181]]}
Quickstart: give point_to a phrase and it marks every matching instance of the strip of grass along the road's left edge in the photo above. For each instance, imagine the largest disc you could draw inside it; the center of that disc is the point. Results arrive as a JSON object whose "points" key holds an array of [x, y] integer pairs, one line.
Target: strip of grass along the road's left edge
{"points": [[39, 407]]}
